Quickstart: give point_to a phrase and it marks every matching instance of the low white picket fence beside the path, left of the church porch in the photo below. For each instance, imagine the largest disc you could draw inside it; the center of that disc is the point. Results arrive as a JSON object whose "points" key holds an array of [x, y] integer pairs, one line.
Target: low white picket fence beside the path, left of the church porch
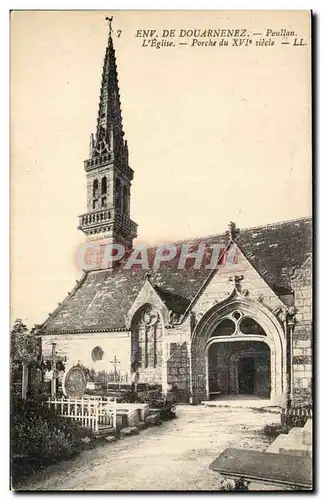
{"points": [[89, 412]]}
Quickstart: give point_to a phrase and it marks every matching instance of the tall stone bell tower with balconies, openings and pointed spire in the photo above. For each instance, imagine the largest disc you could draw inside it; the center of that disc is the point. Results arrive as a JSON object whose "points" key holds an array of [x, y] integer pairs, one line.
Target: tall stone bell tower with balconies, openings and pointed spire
{"points": [[108, 173]]}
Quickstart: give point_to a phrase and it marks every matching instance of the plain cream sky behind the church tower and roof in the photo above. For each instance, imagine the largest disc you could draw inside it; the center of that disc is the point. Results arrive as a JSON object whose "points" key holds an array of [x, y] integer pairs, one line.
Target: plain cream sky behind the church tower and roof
{"points": [[214, 133]]}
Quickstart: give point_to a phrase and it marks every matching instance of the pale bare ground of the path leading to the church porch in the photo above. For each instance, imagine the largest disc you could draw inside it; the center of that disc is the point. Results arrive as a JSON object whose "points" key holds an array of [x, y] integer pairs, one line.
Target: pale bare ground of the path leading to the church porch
{"points": [[174, 456]]}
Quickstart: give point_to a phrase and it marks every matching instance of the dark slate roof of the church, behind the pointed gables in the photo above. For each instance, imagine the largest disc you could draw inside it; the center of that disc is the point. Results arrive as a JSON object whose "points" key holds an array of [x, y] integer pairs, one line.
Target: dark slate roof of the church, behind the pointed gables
{"points": [[101, 299]]}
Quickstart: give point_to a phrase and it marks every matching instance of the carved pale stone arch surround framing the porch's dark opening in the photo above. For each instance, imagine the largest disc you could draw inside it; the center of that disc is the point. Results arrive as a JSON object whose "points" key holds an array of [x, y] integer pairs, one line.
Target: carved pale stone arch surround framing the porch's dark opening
{"points": [[263, 327]]}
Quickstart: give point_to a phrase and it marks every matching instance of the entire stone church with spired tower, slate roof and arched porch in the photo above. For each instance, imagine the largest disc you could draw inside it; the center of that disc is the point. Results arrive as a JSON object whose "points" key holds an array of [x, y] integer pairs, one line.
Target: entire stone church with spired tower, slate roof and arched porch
{"points": [[242, 328]]}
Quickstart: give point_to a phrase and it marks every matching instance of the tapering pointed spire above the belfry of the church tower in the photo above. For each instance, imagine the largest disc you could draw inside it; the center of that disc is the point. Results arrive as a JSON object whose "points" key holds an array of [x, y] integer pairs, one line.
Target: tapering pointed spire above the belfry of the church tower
{"points": [[109, 132]]}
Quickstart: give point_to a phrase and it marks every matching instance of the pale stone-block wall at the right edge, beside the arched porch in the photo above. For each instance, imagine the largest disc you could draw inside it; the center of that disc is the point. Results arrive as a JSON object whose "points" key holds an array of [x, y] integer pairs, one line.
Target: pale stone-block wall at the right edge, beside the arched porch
{"points": [[302, 335]]}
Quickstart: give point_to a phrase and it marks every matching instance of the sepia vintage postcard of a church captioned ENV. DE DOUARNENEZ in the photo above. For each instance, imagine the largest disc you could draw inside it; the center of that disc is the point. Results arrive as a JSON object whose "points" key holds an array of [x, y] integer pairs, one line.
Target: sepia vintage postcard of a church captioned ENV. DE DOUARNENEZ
{"points": [[161, 250]]}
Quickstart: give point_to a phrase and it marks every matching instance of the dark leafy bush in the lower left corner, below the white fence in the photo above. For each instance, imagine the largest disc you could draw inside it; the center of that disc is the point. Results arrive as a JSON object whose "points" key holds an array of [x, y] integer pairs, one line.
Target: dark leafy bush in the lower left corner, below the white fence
{"points": [[40, 437]]}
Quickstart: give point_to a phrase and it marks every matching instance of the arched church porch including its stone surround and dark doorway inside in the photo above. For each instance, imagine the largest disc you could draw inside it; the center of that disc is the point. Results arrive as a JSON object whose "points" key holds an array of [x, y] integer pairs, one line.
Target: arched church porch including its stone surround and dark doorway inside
{"points": [[238, 349]]}
